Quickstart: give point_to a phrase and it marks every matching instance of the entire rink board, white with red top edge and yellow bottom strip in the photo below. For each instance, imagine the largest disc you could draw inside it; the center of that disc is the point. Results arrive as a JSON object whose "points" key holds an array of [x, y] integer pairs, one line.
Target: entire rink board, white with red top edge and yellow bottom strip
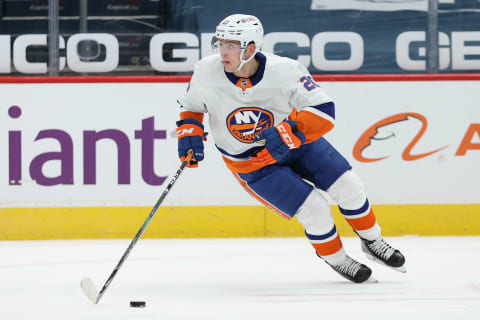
{"points": [[87, 157]]}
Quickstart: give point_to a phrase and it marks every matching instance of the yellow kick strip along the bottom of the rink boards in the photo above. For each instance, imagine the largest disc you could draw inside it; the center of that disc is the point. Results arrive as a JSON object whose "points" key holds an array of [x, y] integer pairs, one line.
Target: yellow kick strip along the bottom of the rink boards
{"points": [[218, 222]]}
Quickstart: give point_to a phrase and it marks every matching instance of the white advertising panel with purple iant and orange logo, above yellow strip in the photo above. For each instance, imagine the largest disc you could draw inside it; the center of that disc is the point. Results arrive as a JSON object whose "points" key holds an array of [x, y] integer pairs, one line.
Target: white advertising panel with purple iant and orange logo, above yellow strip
{"points": [[113, 144]]}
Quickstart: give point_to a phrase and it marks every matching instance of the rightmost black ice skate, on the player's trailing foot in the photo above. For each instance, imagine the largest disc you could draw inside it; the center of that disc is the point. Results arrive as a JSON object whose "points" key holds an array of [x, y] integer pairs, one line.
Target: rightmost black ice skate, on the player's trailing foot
{"points": [[381, 252]]}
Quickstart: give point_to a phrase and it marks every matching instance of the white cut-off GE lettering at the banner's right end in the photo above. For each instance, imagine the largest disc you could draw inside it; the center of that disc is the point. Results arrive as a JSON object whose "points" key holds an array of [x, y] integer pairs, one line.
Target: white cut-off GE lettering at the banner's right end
{"points": [[460, 50]]}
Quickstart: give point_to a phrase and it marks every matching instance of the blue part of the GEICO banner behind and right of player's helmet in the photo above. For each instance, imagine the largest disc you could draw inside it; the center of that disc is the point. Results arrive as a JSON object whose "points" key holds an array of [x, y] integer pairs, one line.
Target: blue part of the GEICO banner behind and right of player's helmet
{"points": [[352, 36]]}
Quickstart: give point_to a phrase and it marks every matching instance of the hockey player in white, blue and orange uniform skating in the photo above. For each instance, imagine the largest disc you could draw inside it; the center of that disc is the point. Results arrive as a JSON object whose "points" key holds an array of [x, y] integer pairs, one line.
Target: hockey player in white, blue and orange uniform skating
{"points": [[267, 118]]}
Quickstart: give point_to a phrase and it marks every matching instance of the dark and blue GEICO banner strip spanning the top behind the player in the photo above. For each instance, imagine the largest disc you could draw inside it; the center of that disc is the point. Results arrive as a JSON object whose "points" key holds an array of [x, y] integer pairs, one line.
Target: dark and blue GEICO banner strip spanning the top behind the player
{"points": [[168, 37]]}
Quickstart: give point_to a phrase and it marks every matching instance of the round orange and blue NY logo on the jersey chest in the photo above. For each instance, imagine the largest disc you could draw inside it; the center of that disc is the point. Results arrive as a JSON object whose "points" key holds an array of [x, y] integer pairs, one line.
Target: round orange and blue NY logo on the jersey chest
{"points": [[245, 123]]}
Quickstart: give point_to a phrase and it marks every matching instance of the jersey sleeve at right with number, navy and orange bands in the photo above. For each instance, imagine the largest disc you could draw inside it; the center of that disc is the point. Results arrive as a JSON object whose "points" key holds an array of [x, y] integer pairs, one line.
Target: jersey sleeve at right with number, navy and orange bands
{"points": [[315, 114]]}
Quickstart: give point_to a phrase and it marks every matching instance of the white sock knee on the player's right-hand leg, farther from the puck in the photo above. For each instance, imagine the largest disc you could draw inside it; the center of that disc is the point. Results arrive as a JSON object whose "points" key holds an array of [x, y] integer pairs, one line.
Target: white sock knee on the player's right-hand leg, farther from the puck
{"points": [[348, 191]]}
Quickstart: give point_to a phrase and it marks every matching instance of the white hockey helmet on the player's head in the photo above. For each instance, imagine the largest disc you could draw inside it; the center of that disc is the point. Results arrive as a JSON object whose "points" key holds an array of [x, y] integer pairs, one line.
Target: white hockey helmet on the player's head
{"points": [[240, 27]]}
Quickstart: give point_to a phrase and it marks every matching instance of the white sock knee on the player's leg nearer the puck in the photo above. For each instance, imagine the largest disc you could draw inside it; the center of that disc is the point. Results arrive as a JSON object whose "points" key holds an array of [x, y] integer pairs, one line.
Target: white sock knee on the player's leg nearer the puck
{"points": [[315, 215]]}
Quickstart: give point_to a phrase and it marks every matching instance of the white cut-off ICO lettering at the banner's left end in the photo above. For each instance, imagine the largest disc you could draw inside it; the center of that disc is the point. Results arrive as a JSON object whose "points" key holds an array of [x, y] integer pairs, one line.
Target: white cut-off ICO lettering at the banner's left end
{"points": [[73, 59]]}
